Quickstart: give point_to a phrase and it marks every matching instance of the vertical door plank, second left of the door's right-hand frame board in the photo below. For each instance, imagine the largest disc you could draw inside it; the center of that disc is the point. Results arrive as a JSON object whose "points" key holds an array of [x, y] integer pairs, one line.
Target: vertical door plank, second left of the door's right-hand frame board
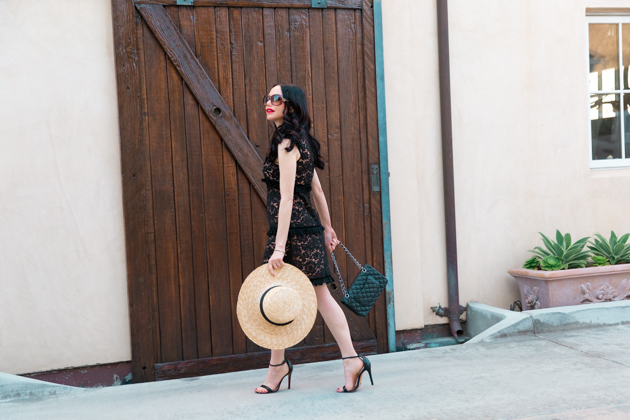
{"points": [[333, 138]]}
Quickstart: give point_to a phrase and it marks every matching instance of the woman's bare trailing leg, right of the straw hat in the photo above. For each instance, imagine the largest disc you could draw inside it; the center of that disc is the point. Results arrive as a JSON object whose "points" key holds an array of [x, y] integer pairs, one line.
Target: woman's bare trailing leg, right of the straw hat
{"points": [[337, 323]]}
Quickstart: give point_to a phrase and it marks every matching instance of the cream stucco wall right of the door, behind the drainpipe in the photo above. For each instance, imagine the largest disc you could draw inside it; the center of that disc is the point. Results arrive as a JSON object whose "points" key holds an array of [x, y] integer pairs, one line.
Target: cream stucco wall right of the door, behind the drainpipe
{"points": [[520, 136]]}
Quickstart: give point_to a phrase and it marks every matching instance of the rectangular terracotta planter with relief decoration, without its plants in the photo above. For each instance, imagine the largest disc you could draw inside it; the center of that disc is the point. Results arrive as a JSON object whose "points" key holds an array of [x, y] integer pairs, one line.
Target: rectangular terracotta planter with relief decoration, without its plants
{"points": [[549, 289]]}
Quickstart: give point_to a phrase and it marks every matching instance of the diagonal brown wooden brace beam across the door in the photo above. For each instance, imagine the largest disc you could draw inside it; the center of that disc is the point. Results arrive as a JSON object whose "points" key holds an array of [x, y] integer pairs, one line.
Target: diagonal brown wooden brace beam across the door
{"points": [[202, 87]]}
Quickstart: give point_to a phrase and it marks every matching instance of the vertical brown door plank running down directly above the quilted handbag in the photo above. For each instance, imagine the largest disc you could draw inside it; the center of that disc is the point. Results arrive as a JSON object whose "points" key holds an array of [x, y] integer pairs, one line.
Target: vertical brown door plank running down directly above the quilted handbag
{"points": [[351, 154]]}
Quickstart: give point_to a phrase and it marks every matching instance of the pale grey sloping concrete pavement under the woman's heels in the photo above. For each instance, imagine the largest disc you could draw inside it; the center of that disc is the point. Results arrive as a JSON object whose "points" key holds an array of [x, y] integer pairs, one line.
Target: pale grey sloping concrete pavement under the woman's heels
{"points": [[567, 374]]}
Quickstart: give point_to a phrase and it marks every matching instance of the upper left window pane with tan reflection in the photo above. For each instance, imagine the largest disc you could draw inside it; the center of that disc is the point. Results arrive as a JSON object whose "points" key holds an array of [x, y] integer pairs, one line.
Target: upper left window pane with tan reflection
{"points": [[604, 56]]}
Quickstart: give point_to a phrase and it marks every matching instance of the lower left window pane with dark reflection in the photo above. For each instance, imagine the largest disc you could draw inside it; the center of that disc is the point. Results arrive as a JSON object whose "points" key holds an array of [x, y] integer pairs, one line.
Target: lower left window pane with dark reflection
{"points": [[605, 127]]}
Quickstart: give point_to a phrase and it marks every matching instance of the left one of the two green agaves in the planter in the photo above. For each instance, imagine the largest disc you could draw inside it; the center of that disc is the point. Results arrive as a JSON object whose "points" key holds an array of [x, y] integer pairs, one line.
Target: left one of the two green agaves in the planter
{"points": [[563, 253]]}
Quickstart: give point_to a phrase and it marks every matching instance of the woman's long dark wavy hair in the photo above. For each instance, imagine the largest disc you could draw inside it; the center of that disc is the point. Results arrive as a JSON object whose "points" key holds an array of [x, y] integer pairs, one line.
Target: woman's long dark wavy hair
{"points": [[296, 124]]}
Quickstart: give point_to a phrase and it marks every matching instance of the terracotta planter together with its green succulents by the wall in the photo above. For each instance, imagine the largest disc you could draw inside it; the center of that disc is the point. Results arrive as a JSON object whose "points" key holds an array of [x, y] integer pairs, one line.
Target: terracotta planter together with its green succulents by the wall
{"points": [[565, 273]]}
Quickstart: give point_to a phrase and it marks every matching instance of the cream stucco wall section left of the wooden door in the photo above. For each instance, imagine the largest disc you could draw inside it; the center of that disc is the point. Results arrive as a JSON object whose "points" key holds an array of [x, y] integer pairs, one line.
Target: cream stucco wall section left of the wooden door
{"points": [[63, 293]]}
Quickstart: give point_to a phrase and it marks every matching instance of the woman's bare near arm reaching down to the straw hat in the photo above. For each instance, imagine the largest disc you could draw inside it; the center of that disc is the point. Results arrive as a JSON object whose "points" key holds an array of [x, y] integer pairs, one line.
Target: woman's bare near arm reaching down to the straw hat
{"points": [[288, 167]]}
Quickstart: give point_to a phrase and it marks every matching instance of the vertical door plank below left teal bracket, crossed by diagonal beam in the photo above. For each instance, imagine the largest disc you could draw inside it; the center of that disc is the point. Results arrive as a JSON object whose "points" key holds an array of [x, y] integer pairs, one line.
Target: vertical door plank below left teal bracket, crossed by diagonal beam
{"points": [[195, 182]]}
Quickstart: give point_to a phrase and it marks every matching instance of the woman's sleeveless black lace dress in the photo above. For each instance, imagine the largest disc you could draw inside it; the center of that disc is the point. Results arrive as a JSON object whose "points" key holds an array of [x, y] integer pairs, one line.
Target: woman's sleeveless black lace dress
{"points": [[306, 248]]}
